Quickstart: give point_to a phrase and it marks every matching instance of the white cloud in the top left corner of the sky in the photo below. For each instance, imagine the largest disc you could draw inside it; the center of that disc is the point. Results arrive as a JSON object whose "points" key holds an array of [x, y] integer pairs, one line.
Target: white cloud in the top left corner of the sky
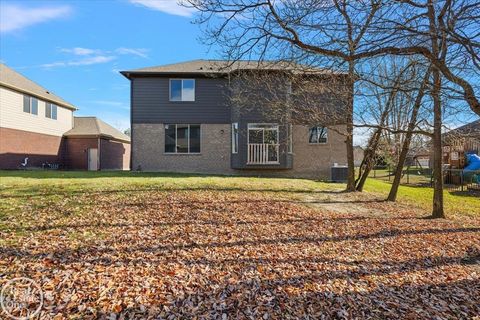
{"points": [[14, 17]]}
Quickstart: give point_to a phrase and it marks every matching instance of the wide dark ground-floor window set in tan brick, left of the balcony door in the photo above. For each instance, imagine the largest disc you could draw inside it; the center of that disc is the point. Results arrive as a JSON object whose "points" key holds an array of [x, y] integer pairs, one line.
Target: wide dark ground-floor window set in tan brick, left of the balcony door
{"points": [[182, 138]]}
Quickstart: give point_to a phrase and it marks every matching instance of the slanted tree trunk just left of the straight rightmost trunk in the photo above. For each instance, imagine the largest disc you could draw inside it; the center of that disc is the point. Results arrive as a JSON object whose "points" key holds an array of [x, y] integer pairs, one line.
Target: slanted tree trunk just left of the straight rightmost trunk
{"points": [[392, 196]]}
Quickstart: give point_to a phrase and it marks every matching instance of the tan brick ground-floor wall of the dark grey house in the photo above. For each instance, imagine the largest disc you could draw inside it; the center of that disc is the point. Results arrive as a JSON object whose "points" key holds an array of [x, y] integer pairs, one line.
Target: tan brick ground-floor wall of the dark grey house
{"points": [[309, 160]]}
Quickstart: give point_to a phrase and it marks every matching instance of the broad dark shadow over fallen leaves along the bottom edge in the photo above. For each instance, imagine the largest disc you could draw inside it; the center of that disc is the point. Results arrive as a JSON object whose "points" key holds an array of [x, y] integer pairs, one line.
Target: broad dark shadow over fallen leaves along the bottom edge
{"points": [[268, 299]]}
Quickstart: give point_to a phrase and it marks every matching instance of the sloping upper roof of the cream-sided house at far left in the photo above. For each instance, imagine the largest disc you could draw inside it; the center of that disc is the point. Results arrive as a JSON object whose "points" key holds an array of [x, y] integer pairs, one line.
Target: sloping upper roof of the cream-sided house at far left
{"points": [[11, 79]]}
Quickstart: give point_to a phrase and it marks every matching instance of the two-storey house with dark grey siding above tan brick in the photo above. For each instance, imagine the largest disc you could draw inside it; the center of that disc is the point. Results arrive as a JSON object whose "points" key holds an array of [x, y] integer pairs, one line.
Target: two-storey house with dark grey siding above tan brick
{"points": [[184, 120]]}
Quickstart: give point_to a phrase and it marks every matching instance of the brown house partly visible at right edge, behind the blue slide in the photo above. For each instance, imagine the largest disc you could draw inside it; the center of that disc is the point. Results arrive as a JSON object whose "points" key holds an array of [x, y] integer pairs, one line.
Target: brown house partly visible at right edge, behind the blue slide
{"points": [[459, 142]]}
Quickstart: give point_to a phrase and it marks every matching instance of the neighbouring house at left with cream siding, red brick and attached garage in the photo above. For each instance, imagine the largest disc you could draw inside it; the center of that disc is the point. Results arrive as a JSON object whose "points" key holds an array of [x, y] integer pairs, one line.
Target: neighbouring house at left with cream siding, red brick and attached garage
{"points": [[38, 129]]}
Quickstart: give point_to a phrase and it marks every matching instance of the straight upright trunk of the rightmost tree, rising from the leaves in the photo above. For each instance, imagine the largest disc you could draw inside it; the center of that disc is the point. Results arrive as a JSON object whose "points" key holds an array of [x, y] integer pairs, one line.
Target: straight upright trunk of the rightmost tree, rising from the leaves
{"points": [[438, 211]]}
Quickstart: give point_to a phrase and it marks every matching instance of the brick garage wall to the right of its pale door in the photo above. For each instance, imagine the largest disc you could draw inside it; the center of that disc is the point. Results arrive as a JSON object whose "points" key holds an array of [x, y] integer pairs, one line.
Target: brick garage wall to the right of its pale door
{"points": [[114, 155]]}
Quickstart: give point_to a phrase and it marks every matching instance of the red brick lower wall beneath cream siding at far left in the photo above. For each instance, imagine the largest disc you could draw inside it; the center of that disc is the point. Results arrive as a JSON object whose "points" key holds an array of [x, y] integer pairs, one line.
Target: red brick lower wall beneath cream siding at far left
{"points": [[15, 145]]}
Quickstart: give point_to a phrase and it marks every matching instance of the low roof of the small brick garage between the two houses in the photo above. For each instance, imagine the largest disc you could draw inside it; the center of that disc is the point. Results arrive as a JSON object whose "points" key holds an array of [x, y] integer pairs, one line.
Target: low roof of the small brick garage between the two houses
{"points": [[94, 127]]}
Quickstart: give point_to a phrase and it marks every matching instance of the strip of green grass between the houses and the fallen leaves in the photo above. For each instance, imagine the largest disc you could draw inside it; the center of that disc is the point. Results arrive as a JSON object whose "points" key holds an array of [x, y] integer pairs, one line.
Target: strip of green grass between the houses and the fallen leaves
{"points": [[45, 188]]}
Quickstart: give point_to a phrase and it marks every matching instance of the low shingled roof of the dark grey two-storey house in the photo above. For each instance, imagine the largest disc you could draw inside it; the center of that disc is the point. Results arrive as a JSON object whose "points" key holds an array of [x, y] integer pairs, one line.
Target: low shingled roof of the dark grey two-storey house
{"points": [[223, 67]]}
